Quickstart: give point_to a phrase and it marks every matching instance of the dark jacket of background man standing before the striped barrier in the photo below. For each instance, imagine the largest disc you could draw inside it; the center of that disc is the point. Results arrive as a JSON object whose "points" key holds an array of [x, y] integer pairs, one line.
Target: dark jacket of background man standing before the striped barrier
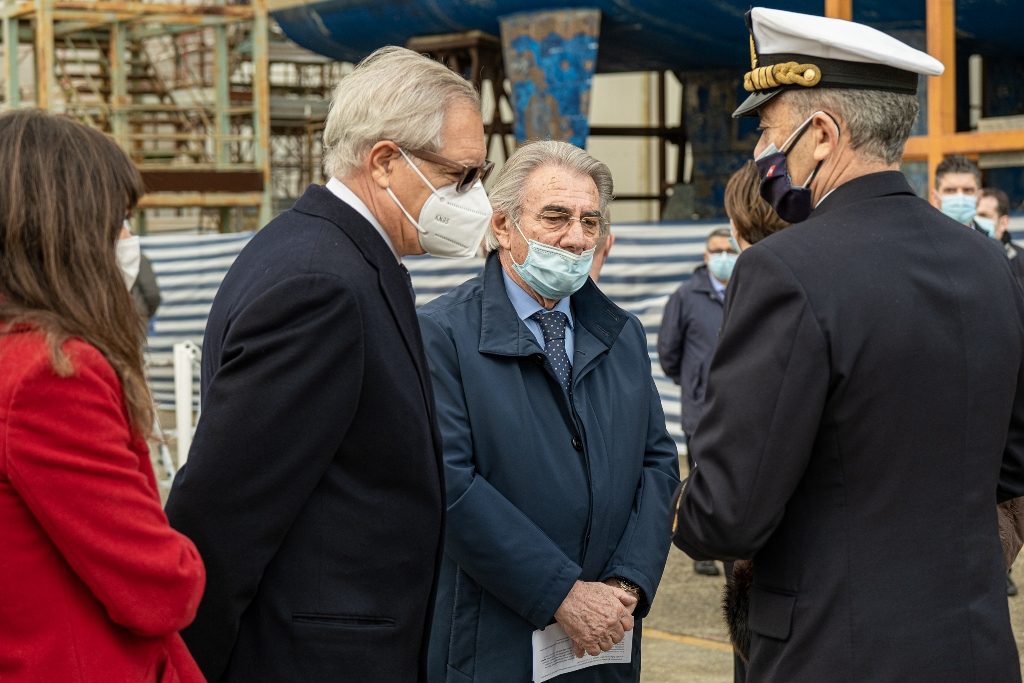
{"points": [[687, 343]]}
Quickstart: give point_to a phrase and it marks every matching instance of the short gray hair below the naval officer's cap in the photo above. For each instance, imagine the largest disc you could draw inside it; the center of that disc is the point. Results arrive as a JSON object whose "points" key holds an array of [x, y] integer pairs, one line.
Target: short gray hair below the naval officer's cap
{"points": [[878, 122]]}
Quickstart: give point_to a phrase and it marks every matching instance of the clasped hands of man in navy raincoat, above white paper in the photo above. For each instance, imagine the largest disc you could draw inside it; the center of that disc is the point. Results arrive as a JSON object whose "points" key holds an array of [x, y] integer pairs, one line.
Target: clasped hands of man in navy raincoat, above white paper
{"points": [[595, 617]]}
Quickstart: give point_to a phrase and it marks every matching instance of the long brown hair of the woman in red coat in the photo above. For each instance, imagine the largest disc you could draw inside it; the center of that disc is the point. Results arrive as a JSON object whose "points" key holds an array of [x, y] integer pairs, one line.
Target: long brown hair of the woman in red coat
{"points": [[65, 191]]}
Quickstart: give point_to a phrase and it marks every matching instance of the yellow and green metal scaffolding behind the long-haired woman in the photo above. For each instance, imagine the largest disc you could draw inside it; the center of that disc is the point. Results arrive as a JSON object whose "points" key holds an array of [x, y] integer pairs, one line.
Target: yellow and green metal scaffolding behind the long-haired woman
{"points": [[182, 87]]}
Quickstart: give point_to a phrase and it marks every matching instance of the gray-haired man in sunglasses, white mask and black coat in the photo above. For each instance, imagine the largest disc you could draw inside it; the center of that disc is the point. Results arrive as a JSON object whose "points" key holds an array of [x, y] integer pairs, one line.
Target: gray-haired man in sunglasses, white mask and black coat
{"points": [[315, 484]]}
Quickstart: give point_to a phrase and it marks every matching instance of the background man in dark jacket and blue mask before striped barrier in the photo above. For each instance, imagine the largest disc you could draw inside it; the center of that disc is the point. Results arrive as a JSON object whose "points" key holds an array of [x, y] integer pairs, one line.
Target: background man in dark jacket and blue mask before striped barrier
{"points": [[689, 335]]}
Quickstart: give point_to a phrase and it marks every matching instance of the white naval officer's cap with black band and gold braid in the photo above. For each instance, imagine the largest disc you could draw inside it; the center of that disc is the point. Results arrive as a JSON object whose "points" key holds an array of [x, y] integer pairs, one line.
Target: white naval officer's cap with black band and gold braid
{"points": [[790, 51]]}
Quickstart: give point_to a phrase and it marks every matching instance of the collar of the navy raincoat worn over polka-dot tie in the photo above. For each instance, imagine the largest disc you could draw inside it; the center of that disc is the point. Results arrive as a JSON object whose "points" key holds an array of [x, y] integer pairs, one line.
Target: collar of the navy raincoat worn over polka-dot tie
{"points": [[598, 321]]}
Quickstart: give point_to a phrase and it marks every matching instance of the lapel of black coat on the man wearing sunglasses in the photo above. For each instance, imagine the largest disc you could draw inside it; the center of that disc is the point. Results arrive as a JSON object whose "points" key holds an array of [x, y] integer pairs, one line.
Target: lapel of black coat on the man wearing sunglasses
{"points": [[393, 278]]}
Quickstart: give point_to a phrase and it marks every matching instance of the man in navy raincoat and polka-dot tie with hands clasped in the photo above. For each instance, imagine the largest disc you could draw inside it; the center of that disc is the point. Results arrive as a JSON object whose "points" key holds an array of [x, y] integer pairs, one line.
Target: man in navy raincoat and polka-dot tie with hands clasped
{"points": [[560, 467]]}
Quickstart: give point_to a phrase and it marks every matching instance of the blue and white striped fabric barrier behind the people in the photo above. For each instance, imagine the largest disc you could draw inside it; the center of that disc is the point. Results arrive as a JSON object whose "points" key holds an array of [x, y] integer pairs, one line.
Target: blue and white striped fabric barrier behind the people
{"points": [[648, 264]]}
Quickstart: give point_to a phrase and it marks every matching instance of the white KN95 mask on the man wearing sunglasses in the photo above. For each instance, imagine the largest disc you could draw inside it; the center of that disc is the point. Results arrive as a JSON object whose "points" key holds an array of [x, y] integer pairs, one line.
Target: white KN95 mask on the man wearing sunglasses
{"points": [[452, 224]]}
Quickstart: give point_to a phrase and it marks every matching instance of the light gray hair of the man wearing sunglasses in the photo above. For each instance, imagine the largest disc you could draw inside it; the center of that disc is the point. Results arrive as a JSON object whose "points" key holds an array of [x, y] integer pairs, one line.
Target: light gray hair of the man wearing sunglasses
{"points": [[394, 95]]}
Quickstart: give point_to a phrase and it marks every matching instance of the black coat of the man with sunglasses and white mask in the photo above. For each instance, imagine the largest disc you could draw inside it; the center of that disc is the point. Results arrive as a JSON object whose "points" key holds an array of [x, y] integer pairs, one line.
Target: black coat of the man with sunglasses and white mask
{"points": [[314, 489]]}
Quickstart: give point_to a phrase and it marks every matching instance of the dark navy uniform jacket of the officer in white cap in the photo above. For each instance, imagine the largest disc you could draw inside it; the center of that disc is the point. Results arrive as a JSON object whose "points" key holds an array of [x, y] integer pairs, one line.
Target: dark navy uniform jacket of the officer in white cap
{"points": [[856, 444]]}
